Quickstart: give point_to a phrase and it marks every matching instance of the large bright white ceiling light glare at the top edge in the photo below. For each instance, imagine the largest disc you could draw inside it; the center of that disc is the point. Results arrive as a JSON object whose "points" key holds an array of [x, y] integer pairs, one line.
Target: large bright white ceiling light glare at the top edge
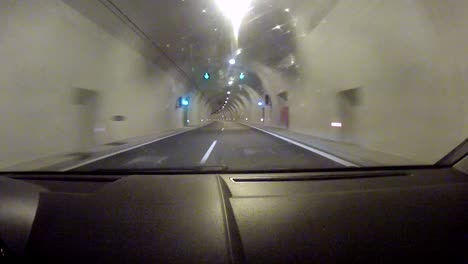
{"points": [[235, 10]]}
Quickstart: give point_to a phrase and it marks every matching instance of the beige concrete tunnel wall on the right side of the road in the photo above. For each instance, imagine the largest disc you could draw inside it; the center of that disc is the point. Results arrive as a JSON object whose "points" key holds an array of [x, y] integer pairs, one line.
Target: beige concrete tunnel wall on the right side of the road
{"points": [[409, 63]]}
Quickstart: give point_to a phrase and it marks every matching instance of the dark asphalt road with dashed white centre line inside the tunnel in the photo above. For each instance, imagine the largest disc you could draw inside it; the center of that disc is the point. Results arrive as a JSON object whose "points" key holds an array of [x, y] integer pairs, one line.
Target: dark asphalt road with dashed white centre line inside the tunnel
{"points": [[230, 144]]}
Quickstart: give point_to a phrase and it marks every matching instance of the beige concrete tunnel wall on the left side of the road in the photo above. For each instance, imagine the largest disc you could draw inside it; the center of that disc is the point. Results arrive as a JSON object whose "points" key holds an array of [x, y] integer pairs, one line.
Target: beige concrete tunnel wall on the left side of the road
{"points": [[49, 52]]}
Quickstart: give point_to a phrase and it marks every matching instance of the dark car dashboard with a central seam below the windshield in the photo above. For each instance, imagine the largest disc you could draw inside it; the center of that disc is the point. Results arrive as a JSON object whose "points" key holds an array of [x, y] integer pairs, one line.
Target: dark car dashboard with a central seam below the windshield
{"points": [[368, 216]]}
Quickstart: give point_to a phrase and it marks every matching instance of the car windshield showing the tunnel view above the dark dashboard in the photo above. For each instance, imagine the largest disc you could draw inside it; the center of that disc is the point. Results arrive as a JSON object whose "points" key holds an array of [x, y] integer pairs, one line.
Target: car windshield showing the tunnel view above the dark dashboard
{"points": [[232, 85]]}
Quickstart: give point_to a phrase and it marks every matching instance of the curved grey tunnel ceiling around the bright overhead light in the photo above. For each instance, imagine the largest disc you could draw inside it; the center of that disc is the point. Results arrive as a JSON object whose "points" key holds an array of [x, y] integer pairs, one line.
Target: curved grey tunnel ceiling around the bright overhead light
{"points": [[197, 38]]}
